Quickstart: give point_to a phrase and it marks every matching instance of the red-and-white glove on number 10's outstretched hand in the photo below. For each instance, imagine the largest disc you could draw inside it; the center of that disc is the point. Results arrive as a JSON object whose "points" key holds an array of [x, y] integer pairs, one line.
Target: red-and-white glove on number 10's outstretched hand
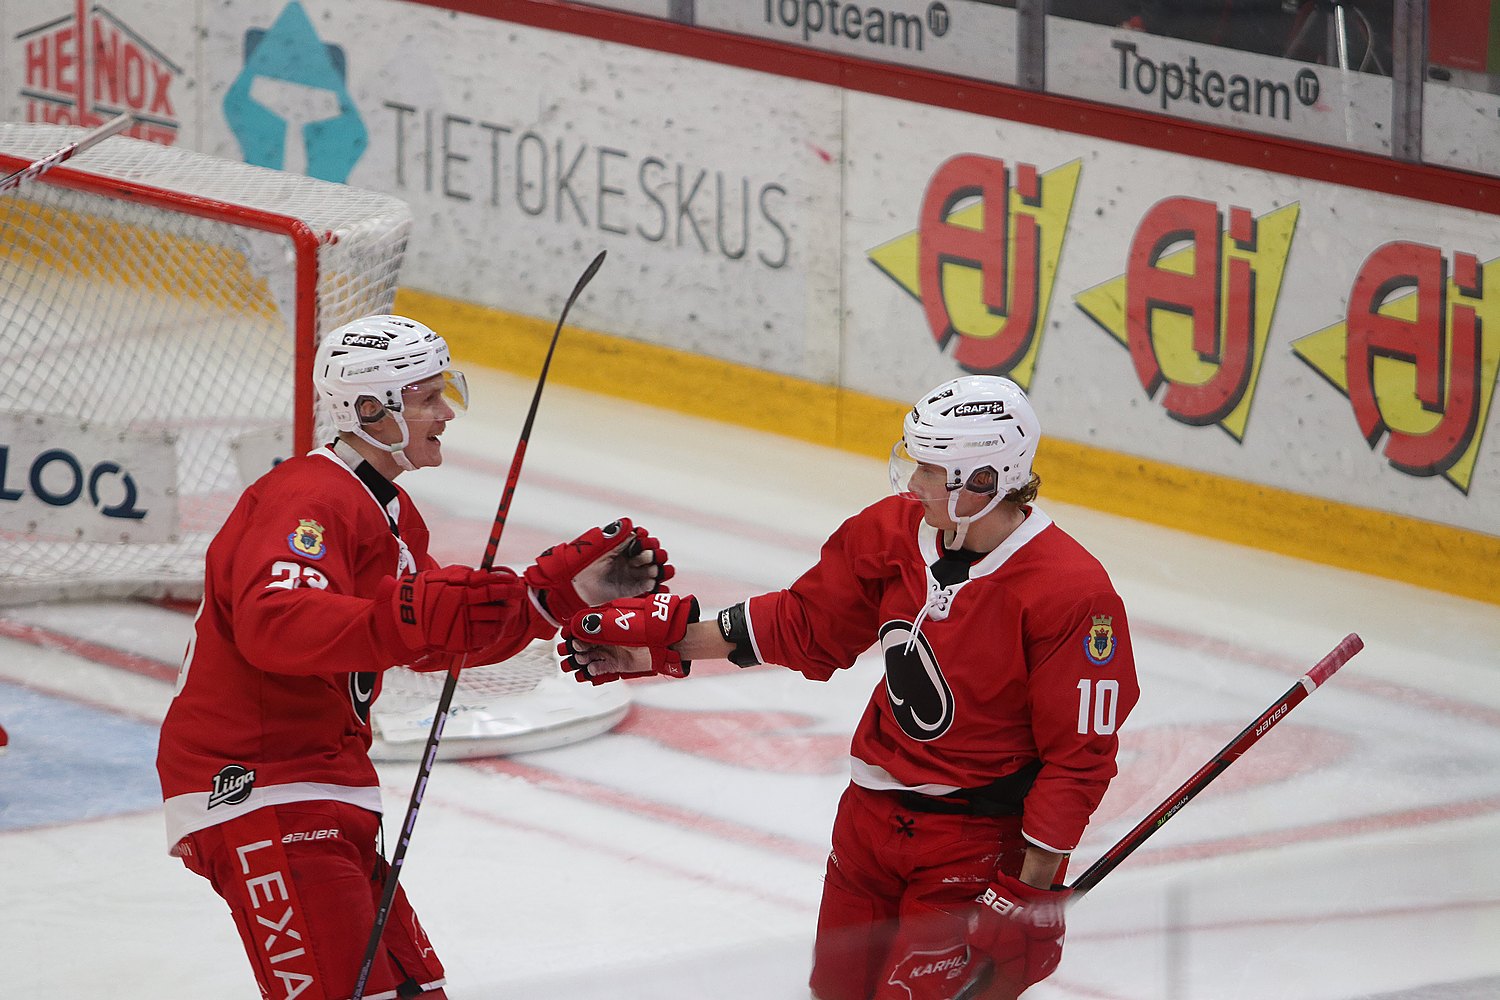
{"points": [[632, 636]]}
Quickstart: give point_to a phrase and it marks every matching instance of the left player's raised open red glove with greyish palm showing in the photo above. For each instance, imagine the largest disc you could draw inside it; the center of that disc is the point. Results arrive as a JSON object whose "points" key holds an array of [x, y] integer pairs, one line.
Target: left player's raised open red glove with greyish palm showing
{"points": [[601, 566]]}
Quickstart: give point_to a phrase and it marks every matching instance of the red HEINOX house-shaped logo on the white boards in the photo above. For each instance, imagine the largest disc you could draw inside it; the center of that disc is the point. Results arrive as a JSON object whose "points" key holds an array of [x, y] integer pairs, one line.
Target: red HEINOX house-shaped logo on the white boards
{"points": [[89, 67]]}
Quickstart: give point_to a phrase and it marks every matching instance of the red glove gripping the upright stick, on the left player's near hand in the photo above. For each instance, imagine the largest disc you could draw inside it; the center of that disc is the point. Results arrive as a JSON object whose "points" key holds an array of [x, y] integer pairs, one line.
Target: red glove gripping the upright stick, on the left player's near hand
{"points": [[455, 609]]}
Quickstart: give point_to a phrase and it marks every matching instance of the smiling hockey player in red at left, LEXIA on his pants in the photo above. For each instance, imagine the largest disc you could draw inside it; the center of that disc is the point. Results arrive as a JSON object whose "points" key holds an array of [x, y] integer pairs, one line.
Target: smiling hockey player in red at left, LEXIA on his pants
{"points": [[320, 581]]}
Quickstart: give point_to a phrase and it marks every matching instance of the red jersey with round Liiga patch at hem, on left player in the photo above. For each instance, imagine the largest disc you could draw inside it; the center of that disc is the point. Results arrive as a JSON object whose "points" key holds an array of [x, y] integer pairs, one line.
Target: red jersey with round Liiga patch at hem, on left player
{"points": [[289, 647]]}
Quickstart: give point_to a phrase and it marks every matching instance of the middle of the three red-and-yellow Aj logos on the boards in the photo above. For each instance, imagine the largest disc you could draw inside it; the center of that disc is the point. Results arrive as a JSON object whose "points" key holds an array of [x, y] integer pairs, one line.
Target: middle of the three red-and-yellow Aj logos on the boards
{"points": [[1196, 304]]}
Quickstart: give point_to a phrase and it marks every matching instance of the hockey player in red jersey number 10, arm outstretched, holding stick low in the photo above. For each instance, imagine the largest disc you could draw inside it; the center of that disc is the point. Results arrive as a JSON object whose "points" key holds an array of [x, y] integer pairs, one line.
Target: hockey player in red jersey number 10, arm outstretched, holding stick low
{"points": [[992, 738]]}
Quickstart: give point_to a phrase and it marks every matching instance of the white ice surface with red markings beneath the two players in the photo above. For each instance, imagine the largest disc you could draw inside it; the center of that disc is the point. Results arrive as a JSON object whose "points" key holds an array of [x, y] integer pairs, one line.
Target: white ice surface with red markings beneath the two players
{"points": [[1355, 852]]}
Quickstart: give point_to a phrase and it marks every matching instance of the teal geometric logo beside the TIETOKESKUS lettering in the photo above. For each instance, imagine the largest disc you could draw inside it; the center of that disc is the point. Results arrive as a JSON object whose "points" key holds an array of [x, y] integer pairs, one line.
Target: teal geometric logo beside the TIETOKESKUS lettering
{"points": [[290, 107]]}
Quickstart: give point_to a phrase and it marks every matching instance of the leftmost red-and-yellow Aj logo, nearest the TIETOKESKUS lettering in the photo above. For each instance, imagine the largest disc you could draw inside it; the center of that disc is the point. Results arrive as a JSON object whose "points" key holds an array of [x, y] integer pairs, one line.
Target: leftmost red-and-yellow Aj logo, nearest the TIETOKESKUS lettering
{"points": [[985, 259]]}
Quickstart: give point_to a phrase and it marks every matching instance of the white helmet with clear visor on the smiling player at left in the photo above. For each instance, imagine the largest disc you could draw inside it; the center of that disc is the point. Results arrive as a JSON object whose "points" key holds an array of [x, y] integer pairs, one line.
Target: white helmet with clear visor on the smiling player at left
{"points": [[376, 359]]}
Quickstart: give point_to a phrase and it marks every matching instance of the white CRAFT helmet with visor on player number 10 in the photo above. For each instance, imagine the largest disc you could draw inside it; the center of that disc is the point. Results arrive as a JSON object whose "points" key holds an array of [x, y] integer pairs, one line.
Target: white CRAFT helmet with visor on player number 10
{"points": [[980, 430]]}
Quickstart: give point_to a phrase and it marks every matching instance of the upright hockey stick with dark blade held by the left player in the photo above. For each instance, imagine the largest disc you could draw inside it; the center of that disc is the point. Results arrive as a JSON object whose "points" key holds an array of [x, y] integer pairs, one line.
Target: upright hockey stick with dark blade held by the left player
{"points": [[451, 684]]}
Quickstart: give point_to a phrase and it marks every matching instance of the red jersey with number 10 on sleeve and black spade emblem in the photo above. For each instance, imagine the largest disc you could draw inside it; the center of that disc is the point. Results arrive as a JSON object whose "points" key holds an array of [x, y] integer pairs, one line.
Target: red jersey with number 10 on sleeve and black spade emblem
{"points": [[1024, 659]]}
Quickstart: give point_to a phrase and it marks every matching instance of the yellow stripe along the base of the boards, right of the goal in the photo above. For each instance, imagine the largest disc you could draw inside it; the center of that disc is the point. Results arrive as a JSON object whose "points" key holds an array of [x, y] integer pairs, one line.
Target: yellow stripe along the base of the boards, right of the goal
{"points": [[1424, 554]]}
